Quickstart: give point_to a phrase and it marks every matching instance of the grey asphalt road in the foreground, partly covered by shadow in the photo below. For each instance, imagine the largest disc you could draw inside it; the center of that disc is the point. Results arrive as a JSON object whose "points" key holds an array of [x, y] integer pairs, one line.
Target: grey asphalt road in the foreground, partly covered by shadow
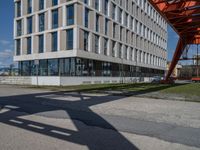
{"points": [[59, 120]]}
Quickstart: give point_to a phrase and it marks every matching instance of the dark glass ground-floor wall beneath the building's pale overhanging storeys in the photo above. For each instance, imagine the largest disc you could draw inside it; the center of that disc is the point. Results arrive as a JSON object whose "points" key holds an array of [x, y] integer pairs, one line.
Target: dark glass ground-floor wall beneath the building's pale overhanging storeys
{"points": [[83, 67]]}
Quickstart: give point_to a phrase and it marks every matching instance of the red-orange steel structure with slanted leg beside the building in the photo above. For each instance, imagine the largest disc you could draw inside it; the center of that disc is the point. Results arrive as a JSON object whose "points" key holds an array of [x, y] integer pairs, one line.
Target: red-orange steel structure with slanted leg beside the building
{"points": [[184, 18]]}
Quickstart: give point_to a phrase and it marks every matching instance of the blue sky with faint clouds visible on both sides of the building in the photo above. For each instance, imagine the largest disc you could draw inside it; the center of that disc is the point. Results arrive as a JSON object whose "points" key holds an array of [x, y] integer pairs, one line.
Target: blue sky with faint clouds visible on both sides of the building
{"points": [[6, 34]]}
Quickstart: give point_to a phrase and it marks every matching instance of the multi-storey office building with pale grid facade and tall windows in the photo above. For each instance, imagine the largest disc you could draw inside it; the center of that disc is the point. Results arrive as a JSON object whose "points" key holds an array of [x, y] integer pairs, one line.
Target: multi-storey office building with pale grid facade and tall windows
{"points": [[104, 39]]}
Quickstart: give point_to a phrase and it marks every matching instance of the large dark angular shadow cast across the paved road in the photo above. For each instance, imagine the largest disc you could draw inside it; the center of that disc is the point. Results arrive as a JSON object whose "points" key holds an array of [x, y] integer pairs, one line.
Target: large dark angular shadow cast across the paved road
{"points": [[43, 102]]}
